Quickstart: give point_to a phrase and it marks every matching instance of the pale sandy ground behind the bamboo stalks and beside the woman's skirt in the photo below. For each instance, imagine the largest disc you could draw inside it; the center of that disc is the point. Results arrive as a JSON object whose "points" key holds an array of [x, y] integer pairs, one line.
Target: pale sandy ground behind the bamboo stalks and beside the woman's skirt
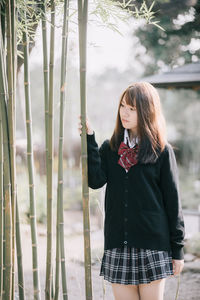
{"points": [[189, 281]]}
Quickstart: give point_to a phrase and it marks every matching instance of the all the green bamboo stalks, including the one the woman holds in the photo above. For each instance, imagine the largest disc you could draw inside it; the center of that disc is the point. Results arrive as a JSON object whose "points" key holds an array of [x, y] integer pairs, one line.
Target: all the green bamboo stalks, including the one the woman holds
{"points": [[17, 26]]}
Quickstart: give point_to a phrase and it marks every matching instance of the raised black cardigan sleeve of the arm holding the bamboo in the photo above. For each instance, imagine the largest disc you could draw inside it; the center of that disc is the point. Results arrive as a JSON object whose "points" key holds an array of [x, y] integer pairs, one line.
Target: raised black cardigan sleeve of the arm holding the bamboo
{"points": [[97, 169]]}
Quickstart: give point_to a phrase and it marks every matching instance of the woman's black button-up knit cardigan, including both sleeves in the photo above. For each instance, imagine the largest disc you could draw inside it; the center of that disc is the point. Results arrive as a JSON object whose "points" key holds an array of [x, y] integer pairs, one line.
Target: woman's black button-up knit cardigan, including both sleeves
{"points": [[142, 207]]}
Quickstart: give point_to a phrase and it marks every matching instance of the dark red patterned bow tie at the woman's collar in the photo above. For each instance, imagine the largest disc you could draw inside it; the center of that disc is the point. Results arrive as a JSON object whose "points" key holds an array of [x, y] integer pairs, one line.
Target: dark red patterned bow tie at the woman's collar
{"points": [[128, 156]]}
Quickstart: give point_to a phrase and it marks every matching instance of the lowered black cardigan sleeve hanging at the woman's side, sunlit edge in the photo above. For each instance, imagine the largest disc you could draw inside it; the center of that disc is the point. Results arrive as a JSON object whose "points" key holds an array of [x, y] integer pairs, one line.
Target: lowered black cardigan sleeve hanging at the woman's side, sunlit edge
{"points": [[171, 196]]}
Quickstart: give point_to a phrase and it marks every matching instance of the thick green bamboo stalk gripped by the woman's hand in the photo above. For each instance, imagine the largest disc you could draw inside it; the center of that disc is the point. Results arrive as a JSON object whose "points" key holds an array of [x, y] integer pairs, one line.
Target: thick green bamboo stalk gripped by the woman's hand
{"points": [[82, 20]]}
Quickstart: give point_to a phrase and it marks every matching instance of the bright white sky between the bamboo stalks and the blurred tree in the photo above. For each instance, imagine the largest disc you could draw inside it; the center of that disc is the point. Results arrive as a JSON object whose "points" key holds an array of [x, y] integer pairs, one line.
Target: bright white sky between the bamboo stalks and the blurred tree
{"points": [[105, 48]]}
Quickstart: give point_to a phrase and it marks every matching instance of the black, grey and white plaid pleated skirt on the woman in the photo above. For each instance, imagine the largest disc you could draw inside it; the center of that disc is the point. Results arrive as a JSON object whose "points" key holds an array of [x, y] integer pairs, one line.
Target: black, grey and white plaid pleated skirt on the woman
{"points": [[129, 265]]}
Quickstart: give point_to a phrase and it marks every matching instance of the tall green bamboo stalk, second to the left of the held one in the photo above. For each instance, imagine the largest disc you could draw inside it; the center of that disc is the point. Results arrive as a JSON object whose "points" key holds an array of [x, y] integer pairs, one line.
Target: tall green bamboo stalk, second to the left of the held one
{"points": [[50, 157]]}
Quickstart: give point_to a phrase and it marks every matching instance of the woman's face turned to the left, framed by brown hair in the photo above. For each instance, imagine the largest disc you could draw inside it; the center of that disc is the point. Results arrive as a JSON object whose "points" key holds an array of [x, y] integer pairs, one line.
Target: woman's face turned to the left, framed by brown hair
{"points": [[128, 115]]}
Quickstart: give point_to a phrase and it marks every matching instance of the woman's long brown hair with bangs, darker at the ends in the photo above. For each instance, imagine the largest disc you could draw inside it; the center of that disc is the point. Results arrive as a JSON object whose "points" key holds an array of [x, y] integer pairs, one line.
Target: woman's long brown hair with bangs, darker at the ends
{"points": [[151, 127]]}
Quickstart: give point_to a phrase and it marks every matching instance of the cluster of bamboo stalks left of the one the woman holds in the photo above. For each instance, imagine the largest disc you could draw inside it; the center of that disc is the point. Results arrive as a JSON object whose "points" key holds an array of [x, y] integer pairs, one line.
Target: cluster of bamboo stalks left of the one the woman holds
{"points": [[10, 238]]}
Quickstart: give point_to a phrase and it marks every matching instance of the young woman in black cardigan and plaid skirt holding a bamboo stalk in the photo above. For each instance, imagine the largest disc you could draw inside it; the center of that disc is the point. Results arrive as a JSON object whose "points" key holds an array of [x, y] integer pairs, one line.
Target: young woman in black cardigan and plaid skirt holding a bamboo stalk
{"points": [[143, 226]]}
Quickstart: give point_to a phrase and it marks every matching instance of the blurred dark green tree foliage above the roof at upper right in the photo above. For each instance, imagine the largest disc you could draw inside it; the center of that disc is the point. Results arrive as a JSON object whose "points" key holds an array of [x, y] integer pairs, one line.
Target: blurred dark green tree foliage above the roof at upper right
{"points": [[179, 43]]}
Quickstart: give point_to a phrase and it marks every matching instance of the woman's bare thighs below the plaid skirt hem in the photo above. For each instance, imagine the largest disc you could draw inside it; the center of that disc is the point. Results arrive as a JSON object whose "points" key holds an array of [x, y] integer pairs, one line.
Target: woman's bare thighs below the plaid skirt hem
{"points": [[150, 291]]}
